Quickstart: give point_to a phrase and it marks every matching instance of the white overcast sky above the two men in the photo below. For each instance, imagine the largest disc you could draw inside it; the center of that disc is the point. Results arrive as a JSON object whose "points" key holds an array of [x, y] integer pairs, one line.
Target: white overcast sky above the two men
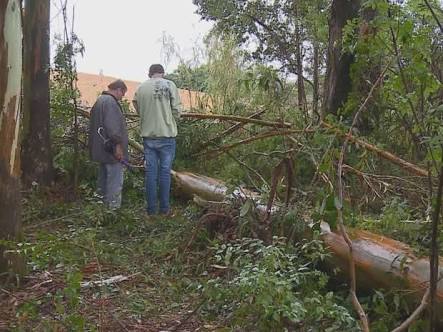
{"points": [[123, 37]]}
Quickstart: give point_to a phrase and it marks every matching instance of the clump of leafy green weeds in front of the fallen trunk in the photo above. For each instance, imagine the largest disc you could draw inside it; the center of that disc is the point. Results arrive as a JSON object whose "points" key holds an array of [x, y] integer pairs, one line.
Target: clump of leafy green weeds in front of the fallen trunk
{"points": [[274, 287]]}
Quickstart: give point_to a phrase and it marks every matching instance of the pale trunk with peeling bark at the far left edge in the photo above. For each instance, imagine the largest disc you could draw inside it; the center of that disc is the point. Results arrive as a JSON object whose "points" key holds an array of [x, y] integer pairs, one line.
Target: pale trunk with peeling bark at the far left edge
{"points": [[10, 89]]}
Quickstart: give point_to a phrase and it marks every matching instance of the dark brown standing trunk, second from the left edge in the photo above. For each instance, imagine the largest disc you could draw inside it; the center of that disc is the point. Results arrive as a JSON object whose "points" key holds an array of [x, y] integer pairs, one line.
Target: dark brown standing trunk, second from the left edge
{"points": [[36, 151]]}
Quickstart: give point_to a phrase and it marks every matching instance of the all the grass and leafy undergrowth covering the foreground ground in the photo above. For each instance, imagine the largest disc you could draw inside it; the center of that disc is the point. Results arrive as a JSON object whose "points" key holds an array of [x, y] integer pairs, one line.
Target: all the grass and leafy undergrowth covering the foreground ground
{"points": [[237, 285]]}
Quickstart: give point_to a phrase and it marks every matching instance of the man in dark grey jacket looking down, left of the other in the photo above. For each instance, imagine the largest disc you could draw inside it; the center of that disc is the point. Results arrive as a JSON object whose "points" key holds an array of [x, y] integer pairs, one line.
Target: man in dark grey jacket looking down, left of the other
{"points": [[108, 142]]}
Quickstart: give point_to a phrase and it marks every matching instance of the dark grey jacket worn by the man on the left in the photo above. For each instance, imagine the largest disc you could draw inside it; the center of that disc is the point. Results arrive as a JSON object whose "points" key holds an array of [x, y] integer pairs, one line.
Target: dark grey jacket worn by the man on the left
{"points": [[107, 113]]}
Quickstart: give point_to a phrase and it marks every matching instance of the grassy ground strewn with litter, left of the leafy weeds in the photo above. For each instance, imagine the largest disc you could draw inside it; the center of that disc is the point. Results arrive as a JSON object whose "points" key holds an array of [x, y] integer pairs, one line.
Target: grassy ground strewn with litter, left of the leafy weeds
{"points": [[68, 243]]}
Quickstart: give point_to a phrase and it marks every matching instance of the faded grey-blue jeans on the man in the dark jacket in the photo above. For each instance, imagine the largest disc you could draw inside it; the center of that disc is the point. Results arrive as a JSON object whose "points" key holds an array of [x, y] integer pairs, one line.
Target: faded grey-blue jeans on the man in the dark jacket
{"points": [[110, 184]]}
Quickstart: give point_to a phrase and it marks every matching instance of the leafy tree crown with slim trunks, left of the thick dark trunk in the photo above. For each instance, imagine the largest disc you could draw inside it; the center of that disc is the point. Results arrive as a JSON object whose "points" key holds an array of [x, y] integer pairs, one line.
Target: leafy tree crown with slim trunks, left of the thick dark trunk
{"points": [[274, 31]]}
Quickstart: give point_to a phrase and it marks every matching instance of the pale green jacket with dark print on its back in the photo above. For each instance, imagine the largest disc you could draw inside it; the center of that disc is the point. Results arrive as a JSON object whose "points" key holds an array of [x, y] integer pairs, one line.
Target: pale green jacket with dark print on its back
{"points": [[159, 106]]}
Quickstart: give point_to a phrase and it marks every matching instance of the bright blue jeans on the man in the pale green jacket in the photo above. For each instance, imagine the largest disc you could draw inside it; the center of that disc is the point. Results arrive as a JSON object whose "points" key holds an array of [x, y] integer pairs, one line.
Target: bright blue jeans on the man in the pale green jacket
{"points": [[159, 155]]}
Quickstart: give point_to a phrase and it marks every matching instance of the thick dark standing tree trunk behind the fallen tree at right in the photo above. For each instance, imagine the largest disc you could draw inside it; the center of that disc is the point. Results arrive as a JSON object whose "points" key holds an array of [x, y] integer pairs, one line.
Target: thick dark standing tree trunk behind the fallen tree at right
{"points": [[337, 81]]}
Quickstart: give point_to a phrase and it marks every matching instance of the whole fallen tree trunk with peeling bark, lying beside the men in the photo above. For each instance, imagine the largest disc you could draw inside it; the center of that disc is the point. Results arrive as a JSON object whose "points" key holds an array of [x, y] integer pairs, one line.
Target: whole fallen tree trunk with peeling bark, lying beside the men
{"points": [[380, 262]]}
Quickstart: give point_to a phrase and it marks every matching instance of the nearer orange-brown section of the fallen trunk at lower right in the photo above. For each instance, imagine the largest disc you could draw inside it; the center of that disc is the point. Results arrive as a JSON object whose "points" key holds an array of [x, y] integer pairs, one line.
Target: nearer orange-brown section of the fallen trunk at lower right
{"points": [[382, 262]]}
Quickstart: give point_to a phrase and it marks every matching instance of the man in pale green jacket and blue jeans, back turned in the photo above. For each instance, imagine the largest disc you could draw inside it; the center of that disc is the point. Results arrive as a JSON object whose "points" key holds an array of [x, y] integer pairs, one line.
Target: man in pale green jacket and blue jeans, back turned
{"points": [[158, 103]]}
